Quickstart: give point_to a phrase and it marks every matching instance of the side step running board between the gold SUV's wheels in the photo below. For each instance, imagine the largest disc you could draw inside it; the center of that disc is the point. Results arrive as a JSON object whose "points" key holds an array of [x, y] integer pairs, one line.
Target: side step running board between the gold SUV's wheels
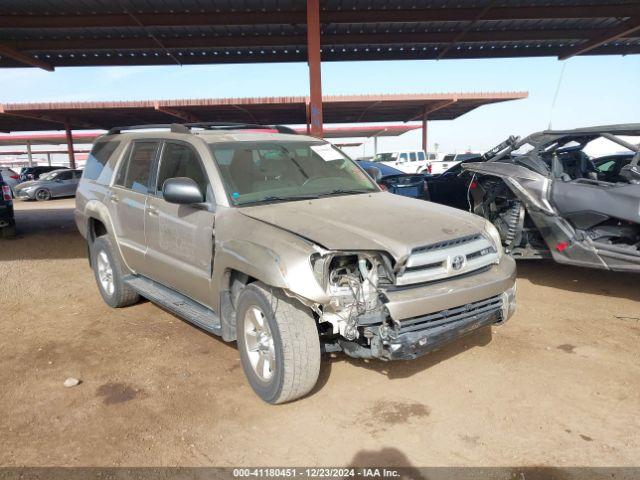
{"points": [[177, 303]]}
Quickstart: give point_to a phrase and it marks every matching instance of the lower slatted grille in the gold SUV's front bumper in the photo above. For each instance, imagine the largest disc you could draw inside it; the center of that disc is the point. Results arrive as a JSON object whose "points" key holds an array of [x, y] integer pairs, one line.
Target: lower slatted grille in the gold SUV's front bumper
{"points": [[481, 309]]}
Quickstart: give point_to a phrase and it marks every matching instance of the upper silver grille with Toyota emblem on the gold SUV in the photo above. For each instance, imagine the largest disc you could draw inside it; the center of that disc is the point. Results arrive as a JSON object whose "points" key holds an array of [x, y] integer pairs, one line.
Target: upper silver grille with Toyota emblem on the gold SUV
{"points": [[447, 259]]}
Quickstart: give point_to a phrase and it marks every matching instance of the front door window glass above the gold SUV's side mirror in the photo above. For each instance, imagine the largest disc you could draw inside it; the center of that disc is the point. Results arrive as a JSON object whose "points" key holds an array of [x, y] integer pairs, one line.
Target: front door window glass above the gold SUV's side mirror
{"points": [[179, 160]]}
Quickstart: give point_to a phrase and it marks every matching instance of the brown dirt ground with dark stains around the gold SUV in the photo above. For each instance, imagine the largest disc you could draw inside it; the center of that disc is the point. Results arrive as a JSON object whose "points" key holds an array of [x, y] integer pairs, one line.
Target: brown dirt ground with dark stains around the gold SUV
{"points": [[557, 385]]}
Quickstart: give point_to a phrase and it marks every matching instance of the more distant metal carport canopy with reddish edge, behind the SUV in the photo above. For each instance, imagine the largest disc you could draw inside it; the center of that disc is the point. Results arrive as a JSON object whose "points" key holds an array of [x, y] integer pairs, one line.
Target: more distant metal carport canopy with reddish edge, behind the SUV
{"points": [[268, 110]]}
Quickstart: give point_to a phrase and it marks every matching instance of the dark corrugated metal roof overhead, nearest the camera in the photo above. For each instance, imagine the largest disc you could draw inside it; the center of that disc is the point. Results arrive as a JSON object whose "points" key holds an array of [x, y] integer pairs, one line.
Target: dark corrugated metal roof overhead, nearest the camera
{"points": [[140, 32]]}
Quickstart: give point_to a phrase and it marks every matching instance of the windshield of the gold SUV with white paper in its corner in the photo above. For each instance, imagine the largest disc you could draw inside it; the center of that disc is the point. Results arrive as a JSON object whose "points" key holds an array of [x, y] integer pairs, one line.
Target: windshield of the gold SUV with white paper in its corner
{"points": [[255, 172]]}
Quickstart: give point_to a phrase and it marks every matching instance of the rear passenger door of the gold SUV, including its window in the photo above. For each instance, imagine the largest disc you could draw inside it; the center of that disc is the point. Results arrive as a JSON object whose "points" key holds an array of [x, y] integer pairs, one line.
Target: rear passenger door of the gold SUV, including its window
{"points": [[127, 201]]}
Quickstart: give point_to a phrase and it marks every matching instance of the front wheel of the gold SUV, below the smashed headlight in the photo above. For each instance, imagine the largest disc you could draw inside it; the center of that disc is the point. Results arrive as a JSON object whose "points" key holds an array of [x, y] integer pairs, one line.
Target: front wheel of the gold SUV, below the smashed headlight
{"points": [[294, 345]]}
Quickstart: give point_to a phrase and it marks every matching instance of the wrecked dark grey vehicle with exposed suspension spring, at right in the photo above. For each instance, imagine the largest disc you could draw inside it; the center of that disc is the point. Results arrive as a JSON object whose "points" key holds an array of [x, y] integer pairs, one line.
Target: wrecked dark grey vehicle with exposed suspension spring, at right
{"points": [[548, 198]]}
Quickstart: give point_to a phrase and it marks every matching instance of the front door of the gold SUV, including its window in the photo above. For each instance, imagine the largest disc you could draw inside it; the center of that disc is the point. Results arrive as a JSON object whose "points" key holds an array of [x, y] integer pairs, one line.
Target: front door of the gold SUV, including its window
{"points": [[180, 238]]}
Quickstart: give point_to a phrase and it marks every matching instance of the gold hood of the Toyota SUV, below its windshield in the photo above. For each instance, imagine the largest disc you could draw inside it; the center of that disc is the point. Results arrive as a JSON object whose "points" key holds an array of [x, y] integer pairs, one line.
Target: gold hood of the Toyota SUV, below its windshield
{"points": [[376, 221]]}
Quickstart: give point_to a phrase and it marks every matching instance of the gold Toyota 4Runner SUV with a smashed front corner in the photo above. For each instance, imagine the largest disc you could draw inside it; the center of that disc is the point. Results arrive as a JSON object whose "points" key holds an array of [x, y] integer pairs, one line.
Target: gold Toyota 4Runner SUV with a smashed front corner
{"points": [[280, 242]]}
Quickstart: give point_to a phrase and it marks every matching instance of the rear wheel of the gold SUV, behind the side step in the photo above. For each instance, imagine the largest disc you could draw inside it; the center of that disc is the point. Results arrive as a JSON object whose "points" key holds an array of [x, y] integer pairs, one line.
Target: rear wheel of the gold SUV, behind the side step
{"points": [[104, 258]]}
